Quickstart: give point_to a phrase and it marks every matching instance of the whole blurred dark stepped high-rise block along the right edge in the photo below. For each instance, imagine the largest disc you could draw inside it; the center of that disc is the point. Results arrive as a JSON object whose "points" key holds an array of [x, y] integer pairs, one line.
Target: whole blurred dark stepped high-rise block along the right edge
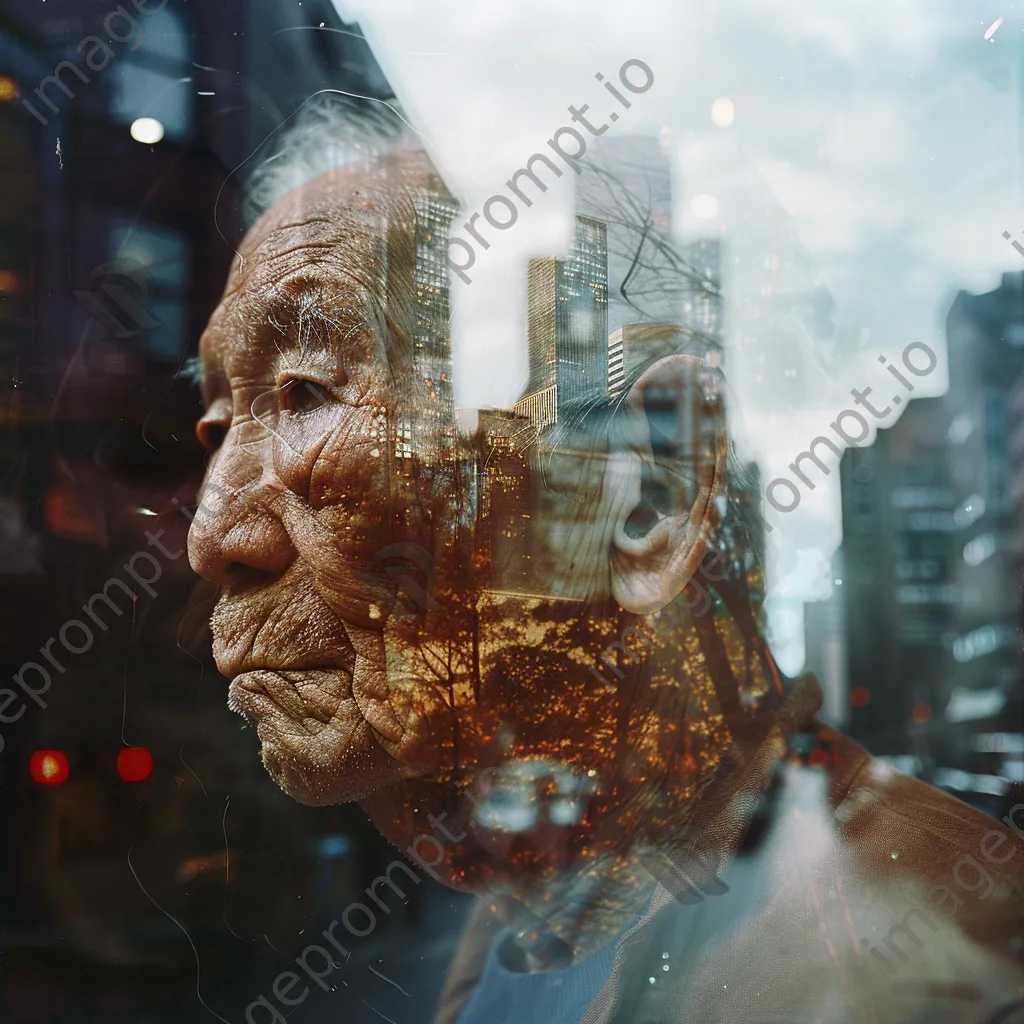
{"points": [[933, 552]]}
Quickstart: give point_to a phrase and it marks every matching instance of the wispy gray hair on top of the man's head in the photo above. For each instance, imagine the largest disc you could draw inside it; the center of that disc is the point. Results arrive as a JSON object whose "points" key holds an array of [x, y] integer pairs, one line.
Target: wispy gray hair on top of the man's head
{"points": [[329, 132]]}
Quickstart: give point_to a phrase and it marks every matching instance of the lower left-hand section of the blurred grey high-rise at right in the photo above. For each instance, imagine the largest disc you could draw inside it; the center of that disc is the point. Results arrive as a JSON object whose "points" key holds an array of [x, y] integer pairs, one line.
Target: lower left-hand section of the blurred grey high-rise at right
{"points": [[900, 544]]}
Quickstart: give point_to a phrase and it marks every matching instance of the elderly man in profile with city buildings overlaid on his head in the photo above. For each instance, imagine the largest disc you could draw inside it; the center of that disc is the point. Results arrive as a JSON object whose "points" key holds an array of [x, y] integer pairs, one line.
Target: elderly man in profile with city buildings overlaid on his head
{"points": [[540, 650]]}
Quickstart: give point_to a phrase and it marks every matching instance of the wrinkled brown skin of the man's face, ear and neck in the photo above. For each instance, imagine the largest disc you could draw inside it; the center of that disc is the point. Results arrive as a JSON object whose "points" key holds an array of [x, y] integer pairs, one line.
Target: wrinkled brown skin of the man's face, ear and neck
{"points": [[307, 373]]}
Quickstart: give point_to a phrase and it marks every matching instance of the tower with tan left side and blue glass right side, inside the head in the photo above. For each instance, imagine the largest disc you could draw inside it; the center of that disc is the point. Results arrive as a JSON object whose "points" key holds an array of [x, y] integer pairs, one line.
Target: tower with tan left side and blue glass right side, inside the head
{"points": [[568, 320]]}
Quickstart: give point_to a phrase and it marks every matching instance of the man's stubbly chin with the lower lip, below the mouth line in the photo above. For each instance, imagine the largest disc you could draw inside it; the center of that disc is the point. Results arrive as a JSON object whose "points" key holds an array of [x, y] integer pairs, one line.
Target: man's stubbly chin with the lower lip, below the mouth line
{"points": [[318, 744]]}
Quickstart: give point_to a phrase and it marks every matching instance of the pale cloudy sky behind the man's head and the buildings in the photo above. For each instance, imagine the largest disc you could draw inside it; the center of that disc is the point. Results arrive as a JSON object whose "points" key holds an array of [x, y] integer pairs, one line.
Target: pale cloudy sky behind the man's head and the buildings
{"points": [[876, 139]]}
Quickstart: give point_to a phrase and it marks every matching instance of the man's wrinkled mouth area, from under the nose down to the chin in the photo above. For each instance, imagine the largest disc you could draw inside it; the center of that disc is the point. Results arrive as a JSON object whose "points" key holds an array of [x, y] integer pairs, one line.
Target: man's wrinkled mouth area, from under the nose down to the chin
{"points": [[333, 719]]}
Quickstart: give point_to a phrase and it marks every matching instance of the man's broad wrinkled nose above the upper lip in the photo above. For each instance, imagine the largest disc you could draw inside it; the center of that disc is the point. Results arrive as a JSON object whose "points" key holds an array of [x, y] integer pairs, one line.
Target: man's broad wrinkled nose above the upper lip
{"points": [[236, 539]]}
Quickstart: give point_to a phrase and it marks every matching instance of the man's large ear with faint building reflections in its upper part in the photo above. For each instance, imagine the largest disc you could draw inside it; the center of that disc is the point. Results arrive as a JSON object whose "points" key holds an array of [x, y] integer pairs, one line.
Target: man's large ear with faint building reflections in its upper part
{"points": [[671, 464]]}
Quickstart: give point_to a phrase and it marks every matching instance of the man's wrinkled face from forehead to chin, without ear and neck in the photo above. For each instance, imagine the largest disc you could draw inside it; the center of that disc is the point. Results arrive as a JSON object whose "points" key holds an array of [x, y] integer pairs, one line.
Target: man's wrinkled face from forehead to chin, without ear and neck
{"points": [[302, 403]]}
